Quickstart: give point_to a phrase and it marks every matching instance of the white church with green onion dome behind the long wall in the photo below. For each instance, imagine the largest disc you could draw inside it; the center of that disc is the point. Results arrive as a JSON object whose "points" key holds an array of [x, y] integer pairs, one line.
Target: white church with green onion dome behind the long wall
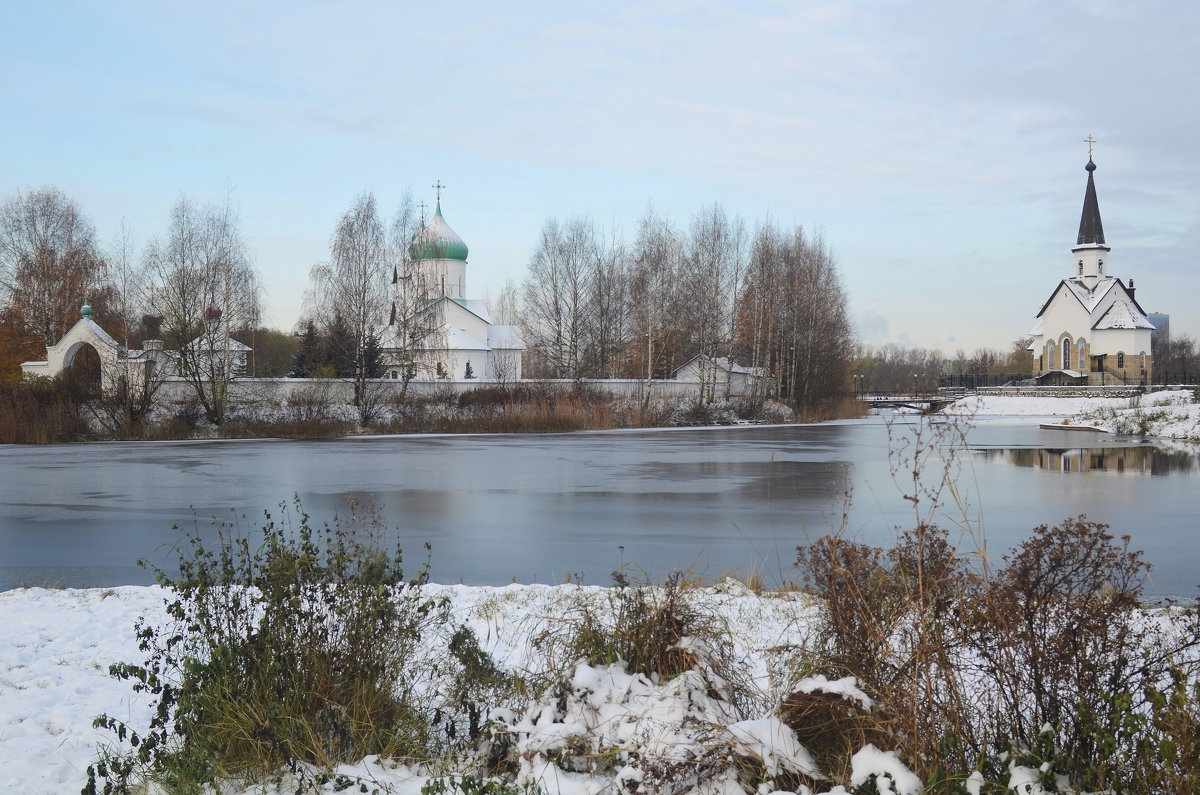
{"points": [[436, 331]]}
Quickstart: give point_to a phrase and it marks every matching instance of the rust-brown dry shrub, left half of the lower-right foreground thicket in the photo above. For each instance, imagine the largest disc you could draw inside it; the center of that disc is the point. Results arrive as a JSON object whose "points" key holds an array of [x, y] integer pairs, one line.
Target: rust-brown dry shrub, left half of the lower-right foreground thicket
{"points": [[890, 620]]}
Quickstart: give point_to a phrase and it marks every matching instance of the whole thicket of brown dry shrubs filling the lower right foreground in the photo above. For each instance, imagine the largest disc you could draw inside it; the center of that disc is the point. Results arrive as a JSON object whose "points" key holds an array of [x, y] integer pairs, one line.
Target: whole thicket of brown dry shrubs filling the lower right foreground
{"points": [[1053, 665]]}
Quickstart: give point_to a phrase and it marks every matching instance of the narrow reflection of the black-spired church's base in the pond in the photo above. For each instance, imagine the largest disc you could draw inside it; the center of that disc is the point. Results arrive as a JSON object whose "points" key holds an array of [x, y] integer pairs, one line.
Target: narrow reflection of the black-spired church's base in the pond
{"points": [[1142, 461]]}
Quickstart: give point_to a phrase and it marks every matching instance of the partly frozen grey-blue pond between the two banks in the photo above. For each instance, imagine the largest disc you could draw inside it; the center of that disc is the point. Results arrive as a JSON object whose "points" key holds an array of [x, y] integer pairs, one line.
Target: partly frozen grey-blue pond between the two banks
{"points": [[541, 509]]}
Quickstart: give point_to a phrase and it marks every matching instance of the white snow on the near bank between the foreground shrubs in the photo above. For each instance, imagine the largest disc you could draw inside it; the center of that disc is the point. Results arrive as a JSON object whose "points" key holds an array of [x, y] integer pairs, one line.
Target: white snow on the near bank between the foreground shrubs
{"points": [[58, 645]]}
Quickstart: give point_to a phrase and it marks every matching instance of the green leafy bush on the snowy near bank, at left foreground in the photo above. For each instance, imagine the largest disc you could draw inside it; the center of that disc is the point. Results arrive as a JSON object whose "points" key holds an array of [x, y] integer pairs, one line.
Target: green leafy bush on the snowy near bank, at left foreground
{"points": [[296, 649]]}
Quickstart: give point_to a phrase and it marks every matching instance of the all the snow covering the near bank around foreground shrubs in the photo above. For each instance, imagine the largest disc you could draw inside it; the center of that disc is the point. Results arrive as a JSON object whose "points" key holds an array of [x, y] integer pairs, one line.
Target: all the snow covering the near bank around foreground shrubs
{"points": [[58, 645]]}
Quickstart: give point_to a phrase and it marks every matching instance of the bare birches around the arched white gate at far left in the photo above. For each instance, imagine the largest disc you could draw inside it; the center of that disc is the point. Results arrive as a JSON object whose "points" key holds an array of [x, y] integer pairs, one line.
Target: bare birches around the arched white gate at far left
{"points": [[194, 288]]}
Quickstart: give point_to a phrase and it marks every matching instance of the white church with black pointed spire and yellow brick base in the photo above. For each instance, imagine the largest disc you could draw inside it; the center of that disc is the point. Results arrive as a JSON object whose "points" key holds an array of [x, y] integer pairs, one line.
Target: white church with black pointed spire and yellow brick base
{"points": [[1091, 331]]}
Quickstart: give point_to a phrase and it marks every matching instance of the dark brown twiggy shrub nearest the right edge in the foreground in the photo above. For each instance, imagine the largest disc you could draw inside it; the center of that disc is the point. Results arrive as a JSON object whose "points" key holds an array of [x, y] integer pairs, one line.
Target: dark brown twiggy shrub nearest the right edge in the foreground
{"points": [[1064, 642]]}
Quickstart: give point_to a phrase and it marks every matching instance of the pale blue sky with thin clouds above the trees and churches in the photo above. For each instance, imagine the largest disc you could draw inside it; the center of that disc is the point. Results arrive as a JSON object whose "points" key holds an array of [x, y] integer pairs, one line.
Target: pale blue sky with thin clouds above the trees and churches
{"points": [[938, 147]]}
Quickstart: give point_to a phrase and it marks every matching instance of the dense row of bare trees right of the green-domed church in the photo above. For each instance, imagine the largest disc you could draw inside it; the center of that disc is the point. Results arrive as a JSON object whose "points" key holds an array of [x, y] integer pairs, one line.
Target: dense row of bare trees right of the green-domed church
{"points": [[597, 307]]}
